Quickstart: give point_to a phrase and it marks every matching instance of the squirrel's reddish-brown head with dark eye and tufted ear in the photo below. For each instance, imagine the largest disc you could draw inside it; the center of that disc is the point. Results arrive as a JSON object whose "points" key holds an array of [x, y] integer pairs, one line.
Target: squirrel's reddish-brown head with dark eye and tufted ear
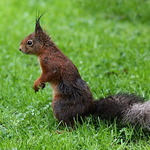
{"points": [[34, 42]]}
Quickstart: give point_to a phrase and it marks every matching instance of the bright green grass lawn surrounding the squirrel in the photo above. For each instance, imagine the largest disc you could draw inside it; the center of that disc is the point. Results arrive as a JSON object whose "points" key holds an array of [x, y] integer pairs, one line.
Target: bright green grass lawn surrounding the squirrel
{"points": [[108, 41]]}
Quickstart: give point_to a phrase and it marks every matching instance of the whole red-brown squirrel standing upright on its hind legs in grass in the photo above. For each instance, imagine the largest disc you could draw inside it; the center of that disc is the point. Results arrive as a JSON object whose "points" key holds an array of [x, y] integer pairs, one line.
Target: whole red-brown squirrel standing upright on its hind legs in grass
{"points": [[72, 98]]}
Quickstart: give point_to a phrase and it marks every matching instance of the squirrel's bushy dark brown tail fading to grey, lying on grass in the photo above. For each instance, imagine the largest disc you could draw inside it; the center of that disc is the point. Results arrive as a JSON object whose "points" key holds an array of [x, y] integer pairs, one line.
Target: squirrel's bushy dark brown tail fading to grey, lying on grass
{"points": [[128, 108]]}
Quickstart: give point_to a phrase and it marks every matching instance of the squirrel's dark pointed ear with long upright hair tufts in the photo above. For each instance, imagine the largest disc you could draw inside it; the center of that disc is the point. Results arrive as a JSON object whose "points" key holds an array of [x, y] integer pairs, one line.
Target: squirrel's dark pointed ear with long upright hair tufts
{"points": [[38, 29]]}
